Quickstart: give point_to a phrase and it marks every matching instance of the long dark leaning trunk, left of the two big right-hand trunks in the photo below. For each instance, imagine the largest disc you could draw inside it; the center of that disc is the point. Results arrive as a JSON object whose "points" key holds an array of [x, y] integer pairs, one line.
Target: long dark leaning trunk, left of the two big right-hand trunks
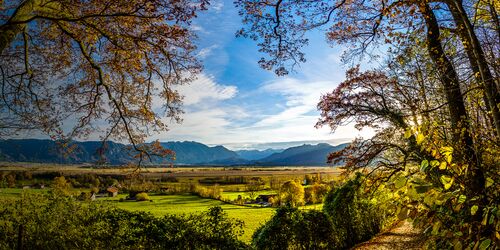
{"points": [[458, 114]]}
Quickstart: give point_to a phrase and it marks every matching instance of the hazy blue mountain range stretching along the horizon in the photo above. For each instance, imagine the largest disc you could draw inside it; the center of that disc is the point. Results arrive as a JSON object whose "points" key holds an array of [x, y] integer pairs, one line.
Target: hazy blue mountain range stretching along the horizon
{"points": [[187, 153]]}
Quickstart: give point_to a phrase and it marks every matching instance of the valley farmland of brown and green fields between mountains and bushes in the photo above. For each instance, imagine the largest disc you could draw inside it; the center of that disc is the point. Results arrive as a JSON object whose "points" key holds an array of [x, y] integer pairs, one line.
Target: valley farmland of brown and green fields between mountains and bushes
{"points": [[177, 203]]}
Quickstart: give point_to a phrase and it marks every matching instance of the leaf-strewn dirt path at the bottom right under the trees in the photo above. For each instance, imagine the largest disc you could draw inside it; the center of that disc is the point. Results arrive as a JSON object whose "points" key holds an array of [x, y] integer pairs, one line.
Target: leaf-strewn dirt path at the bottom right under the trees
{"points": [[401, 236]]}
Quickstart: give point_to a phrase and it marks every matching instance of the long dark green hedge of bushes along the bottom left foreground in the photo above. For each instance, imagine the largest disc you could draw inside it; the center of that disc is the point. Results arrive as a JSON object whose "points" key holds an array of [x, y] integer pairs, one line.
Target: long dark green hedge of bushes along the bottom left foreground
{"points": [[48, 222]]}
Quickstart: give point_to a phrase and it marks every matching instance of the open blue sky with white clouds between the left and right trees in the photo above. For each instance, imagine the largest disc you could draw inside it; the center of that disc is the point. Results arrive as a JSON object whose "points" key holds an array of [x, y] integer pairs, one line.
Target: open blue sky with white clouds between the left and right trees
{"points": [[237, 104]]}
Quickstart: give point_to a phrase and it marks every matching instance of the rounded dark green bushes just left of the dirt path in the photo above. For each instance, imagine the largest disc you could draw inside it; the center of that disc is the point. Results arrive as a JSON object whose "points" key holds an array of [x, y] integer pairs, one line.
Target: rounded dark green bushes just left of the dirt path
{"points": [[347, 219]]}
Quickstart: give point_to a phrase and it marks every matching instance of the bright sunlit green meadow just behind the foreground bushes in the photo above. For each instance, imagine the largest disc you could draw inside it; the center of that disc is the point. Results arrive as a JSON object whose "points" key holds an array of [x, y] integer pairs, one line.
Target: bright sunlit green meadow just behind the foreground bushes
{"points": [[253, 217]]}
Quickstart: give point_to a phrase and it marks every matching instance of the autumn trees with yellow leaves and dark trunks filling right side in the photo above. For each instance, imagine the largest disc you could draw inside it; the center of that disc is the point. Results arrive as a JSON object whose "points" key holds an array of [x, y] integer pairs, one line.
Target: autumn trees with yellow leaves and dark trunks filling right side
{"points": [[434, 103]]}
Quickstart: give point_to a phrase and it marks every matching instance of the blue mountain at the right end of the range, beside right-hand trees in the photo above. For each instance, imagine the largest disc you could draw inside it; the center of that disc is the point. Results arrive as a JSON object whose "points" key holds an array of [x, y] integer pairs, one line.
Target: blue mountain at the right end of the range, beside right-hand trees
{"points": [[305, 155]]}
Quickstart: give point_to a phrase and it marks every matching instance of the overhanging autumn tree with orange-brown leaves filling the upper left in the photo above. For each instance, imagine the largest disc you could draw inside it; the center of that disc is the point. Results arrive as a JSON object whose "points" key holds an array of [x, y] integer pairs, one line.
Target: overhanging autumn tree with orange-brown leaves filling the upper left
{"points": [[95, 63]]}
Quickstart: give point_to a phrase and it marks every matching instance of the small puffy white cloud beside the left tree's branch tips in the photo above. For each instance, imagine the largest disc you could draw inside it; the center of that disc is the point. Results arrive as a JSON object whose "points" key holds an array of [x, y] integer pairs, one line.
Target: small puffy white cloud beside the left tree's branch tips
{"points": [[205, 89]]}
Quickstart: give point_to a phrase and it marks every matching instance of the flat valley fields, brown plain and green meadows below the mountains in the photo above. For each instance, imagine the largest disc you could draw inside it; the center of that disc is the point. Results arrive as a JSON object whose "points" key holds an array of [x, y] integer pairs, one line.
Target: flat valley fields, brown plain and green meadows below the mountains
{"points": [[252, 216]]}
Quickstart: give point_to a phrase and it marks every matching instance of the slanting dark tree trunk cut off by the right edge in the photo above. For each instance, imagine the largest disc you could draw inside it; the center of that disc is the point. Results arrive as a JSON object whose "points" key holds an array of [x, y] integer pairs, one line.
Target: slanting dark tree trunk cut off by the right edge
{"points": [[477, 59]]}
